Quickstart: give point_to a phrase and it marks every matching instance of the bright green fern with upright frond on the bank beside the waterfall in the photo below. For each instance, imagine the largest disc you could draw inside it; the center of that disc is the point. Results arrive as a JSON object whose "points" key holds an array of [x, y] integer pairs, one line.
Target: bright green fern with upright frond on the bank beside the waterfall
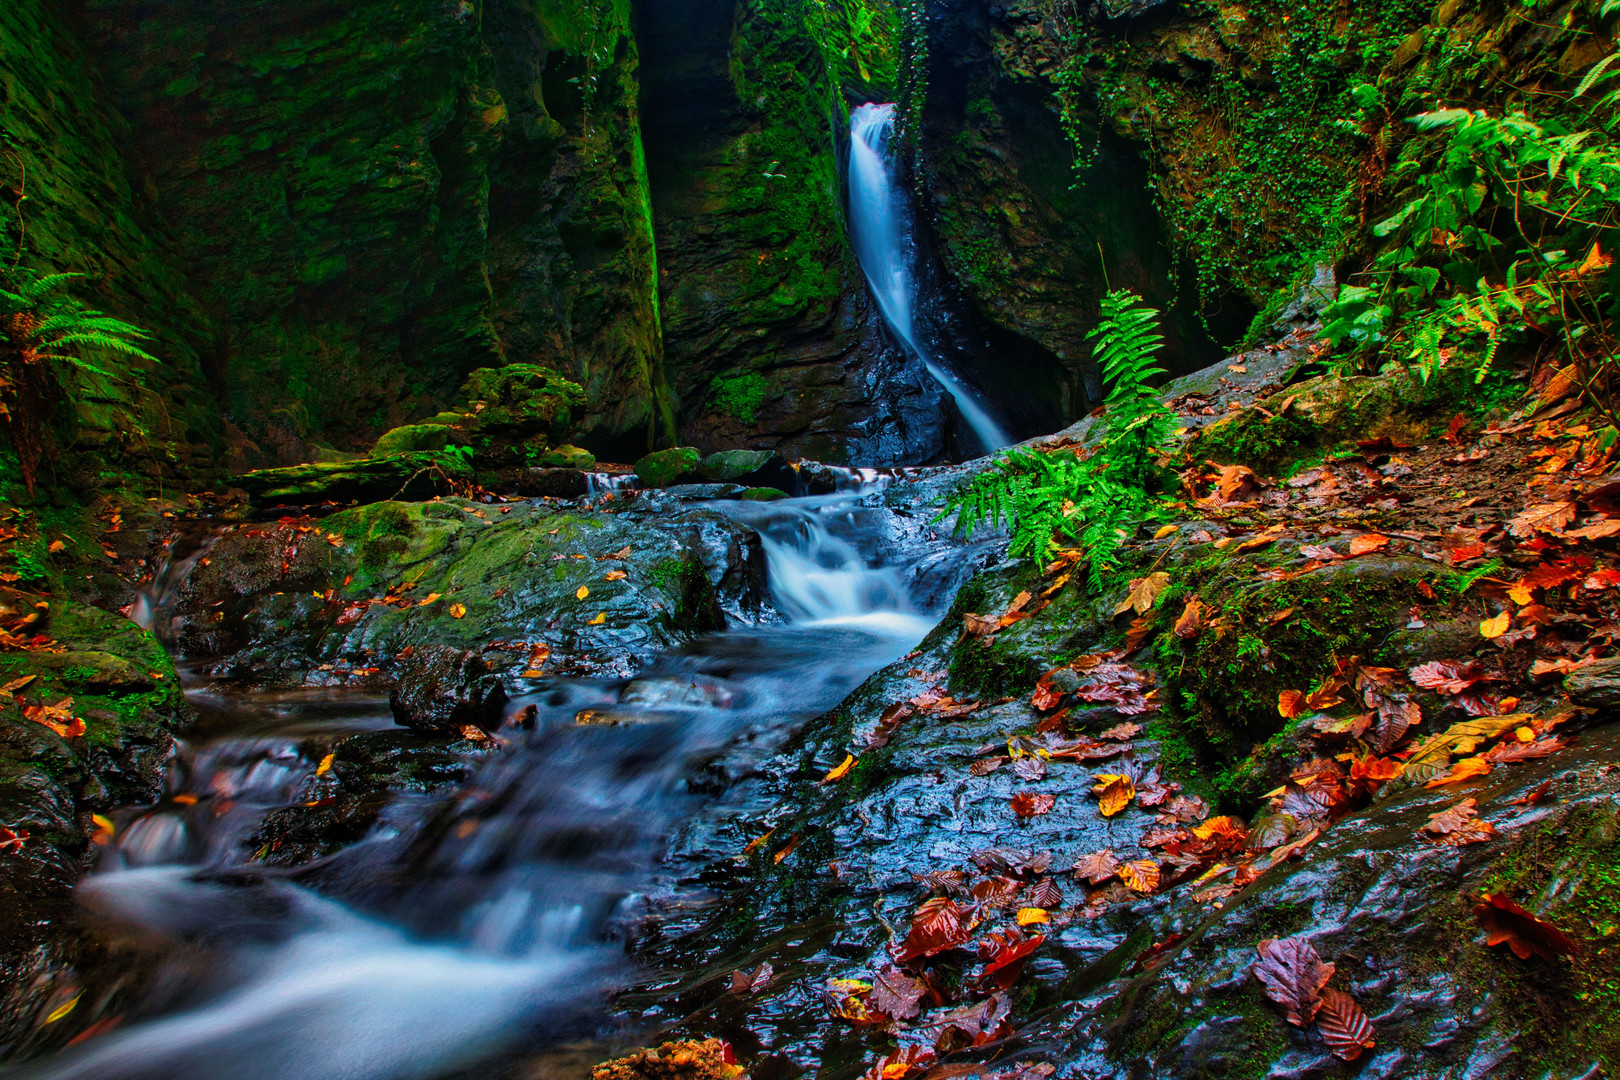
{"points": [[1062, 496]]}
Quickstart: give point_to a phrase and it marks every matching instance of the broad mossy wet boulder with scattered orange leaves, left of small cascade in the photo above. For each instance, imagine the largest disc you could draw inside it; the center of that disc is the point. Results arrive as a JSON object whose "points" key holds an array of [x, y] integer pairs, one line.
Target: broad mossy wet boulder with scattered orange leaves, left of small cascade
{"points": [[595, 590]]}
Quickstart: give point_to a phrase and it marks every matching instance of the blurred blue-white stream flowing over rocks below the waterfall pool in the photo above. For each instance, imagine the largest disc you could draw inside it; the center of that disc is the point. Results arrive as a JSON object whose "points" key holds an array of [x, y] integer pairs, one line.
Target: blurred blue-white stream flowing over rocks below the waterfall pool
{"points": [[500, 916]]}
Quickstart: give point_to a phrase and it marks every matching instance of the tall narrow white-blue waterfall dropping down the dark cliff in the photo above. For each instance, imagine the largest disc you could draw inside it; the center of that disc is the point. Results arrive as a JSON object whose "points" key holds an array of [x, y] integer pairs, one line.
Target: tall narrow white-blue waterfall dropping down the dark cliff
{"points": [[880, 229]]}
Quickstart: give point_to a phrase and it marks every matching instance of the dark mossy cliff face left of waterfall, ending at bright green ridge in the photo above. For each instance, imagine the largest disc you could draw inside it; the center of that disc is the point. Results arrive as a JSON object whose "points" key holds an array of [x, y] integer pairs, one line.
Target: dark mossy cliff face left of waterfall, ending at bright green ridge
{"points": [[380, 202]]}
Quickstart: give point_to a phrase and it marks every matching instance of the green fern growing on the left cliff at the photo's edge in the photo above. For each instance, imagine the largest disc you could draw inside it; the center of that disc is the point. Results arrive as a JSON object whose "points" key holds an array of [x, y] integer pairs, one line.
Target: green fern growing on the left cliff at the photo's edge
{"points": [[43, 330]]}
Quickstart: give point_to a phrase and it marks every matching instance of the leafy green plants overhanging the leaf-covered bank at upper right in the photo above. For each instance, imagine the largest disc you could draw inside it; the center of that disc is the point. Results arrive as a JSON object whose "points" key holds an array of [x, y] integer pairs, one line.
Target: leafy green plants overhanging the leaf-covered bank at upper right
{"points": [[1501, 242]]}
